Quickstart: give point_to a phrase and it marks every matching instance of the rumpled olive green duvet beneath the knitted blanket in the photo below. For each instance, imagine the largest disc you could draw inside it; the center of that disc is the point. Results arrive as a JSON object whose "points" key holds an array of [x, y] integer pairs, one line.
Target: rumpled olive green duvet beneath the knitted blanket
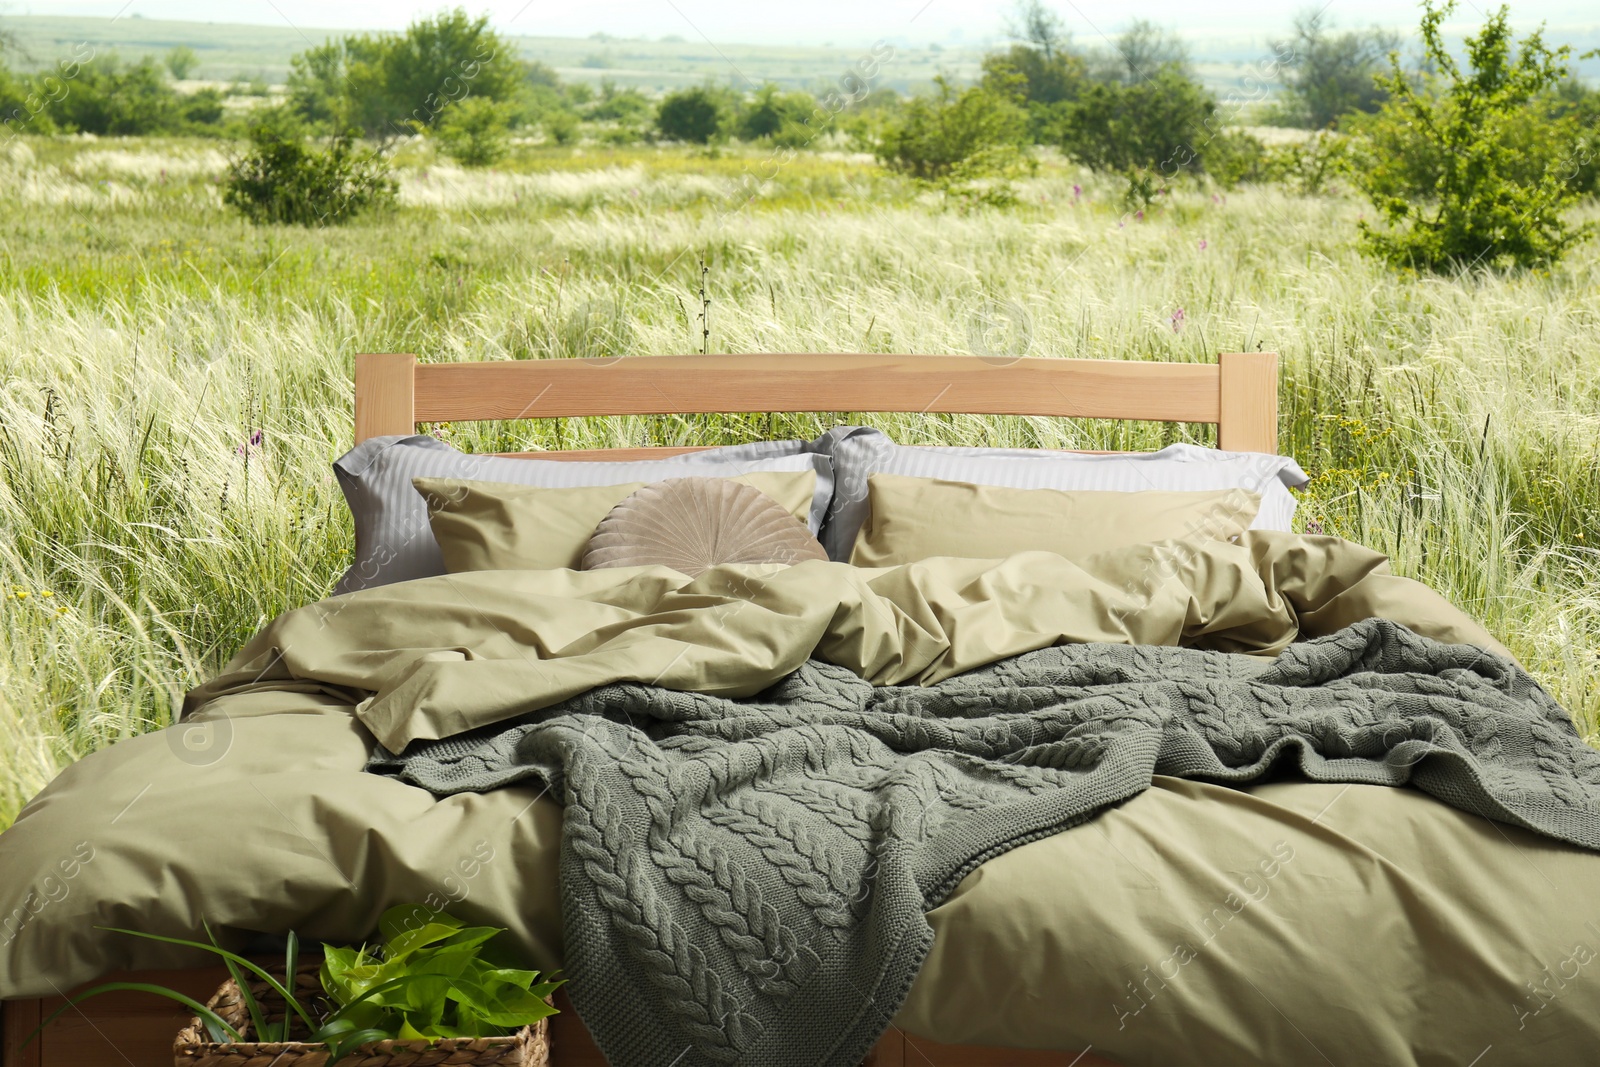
{"points": [[1196, 924]]}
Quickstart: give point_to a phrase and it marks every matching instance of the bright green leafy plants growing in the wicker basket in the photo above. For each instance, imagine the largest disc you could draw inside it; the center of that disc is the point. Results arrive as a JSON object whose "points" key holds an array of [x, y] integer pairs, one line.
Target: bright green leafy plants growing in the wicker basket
{"points": [[431, 978]]}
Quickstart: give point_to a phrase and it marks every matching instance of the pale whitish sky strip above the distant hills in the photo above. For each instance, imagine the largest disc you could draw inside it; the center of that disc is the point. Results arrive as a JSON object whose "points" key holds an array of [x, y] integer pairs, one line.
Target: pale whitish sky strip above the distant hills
{"points": [[802, 22]]}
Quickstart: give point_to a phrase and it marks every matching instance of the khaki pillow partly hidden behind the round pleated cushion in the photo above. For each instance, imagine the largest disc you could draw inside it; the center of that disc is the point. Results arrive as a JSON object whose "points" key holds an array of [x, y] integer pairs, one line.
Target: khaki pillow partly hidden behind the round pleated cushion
{"points": [[492, 526]]}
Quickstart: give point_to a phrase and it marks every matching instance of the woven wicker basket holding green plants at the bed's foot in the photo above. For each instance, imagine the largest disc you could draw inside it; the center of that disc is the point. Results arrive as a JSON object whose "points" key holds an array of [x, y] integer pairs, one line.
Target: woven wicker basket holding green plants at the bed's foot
{"points": [[529, 1047]]}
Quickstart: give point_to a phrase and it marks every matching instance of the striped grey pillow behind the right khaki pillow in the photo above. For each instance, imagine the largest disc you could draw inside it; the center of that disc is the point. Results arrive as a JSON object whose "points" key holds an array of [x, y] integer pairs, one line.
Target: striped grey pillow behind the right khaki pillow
{"points": [[860, 452]]}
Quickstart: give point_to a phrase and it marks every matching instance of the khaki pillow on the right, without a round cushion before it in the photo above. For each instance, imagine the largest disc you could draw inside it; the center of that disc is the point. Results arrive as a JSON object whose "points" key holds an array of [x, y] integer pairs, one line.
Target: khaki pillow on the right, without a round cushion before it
{"points": [[918, 519]]}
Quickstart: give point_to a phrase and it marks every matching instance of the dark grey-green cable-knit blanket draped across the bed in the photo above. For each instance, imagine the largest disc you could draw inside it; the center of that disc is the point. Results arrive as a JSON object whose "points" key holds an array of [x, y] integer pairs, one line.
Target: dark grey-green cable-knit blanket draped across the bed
{"points": [[745, 881]]}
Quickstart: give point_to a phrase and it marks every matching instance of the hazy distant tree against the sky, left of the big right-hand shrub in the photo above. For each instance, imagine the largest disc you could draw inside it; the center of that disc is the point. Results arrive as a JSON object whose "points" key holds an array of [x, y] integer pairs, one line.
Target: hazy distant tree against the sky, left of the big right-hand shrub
{"points": [[1329, 76]]}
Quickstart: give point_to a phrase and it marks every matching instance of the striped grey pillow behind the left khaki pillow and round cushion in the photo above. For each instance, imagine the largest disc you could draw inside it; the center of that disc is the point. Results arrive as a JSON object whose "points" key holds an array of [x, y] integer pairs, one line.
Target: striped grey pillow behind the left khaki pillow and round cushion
{"points": [[394, 541]]}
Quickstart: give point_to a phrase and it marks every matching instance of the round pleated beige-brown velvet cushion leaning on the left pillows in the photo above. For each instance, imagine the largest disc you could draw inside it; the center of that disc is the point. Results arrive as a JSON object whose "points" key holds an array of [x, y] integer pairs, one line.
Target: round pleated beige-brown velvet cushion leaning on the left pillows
{"points": [[697, 524]]}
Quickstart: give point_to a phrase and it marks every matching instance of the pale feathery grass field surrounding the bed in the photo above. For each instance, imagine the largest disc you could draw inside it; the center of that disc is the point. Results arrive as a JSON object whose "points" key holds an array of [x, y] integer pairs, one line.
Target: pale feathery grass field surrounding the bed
{"points": [[146, 335]]}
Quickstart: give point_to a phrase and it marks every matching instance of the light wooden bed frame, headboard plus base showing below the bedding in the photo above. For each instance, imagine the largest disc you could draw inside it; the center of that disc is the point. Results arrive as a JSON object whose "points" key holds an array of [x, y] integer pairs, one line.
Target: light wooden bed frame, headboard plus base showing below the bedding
{"points": [[396, 393]]}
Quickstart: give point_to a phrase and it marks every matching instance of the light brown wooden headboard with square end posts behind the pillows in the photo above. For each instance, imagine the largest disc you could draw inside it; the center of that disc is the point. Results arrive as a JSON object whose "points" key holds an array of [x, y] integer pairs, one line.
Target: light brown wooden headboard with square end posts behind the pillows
{"points": [[1239, 393]]}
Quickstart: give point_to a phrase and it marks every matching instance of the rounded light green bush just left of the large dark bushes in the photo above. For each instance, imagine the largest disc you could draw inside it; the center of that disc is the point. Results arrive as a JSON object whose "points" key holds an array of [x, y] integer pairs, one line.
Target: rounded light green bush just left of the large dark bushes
{"points": [[977, 130]]}
